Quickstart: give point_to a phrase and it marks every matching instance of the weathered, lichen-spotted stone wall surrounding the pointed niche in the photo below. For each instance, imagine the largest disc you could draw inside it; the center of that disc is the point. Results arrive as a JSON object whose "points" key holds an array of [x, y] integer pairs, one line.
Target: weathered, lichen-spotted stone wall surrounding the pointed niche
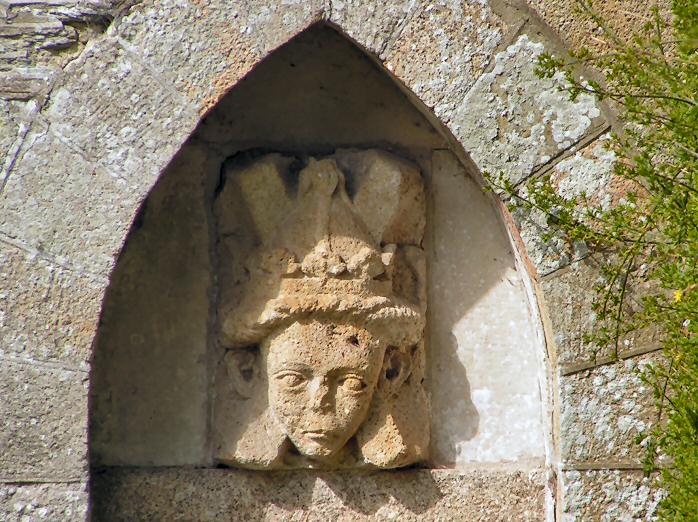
{"points": [[96, 99]]}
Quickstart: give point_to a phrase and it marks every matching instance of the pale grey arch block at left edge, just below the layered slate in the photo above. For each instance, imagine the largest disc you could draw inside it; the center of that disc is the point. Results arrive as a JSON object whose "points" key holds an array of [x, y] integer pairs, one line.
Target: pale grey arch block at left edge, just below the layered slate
{"points": [[75, 210]]}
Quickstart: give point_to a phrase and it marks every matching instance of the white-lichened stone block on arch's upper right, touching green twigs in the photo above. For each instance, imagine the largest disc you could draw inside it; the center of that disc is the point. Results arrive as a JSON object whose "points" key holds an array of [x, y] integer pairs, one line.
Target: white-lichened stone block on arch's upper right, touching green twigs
{"points": [[512, 121]]}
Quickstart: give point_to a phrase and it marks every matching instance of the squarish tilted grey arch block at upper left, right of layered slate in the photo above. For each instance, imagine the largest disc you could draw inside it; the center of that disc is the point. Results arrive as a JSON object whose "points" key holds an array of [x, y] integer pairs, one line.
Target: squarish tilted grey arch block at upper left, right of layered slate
{"points": [[111, 84]]}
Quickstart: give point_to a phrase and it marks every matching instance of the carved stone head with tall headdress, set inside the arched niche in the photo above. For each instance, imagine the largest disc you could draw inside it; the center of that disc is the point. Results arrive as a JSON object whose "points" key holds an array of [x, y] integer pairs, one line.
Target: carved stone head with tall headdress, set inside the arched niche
{"points": [[321, 312]]}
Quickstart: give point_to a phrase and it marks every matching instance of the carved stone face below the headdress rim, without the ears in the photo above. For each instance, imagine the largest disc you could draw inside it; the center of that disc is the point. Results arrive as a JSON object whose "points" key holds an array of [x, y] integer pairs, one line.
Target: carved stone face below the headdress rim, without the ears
{"points": [[321, 380]]}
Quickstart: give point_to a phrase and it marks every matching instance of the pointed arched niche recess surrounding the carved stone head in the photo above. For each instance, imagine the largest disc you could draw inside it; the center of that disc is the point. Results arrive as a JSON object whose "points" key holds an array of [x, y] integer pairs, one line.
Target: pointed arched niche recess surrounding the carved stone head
{"points": [[151, 402]]}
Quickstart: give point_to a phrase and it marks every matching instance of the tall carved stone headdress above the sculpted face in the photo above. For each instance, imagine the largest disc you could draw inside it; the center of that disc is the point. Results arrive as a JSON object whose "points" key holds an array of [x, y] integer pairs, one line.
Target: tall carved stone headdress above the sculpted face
{"points": [[327, 246]]}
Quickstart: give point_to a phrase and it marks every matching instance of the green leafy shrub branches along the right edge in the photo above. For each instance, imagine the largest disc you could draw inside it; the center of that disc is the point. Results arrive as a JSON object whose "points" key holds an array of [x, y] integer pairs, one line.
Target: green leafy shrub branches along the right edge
{"points": [[650, 233]]}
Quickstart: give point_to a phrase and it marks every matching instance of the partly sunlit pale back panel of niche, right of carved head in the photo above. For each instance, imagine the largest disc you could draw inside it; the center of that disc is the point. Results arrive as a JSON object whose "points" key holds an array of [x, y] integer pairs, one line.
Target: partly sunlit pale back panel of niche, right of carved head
{"points": [[481, 333]]}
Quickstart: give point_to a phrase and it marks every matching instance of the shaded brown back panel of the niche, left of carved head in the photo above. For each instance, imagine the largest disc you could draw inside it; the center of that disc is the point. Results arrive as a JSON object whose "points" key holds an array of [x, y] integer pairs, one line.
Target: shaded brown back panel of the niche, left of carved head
{"points": [[150, 368]]}
